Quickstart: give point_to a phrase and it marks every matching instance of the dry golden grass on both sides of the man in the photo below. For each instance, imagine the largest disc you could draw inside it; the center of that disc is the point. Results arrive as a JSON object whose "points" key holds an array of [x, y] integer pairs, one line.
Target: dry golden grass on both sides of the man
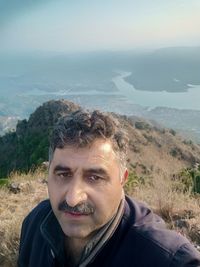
{"points": [[180, 210]]}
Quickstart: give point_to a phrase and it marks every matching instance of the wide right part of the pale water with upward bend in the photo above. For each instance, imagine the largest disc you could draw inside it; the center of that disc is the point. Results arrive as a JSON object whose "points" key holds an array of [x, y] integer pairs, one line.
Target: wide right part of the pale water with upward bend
{"points": [[181, 100]]}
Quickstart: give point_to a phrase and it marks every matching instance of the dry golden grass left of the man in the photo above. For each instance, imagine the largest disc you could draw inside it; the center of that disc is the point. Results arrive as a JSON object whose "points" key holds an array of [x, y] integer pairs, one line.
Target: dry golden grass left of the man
{"points": [[13, 208]]}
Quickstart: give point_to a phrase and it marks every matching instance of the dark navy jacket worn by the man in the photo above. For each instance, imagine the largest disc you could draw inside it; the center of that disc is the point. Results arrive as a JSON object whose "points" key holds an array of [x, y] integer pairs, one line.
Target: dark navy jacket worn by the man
{"points": [[140, 240]]}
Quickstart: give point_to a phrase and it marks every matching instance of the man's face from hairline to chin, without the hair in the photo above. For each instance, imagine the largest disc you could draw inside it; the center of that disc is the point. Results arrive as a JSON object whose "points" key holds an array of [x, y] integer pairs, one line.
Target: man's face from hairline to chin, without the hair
{"points": [[85, 177]]}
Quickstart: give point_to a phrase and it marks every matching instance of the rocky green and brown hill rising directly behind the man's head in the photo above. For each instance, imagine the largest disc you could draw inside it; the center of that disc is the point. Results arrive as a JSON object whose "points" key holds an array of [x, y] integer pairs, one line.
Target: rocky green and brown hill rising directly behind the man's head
{"points": [[153, 149]]}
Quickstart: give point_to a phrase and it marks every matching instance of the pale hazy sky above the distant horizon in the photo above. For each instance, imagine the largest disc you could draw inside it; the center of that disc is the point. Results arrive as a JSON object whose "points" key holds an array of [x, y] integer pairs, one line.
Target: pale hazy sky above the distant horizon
{"points": [[84, 25]]}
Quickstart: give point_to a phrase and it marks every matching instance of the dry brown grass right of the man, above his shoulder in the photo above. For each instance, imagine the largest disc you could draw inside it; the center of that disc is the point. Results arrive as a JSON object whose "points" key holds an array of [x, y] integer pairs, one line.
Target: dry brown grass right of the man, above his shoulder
{"points": [[181, 211]]}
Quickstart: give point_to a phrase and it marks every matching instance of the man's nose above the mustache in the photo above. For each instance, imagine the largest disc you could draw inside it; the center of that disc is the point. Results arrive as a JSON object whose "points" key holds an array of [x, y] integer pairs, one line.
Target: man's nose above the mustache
{"points": [[76, 193]]}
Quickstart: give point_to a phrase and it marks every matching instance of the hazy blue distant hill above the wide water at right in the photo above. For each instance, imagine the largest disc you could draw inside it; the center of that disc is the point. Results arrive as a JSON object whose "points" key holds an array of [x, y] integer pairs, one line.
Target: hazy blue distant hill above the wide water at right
{"points": [[169, 69]]}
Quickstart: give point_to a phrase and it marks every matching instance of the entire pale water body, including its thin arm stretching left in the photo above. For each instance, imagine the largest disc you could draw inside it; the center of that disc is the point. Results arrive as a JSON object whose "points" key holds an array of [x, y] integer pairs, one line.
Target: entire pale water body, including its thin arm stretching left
{"points": [[181, 100]]}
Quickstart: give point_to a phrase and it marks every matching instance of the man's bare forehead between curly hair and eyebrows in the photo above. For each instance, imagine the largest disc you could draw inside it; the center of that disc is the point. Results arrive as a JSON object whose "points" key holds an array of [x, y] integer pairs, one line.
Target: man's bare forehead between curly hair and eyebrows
{"points": [[100, 152]]}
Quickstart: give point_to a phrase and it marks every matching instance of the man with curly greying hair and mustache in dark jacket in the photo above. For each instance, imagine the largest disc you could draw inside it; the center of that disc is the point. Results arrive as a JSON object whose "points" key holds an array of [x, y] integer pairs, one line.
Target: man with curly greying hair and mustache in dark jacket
{"points": [[88, 220]]}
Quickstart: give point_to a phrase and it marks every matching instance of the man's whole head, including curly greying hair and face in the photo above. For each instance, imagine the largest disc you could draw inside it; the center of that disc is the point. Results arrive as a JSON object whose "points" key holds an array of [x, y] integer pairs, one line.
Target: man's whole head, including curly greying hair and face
{"points": [[87, 171]]}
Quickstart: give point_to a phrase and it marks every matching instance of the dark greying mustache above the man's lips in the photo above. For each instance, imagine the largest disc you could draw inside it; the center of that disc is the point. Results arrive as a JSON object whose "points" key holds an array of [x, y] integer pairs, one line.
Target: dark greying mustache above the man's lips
{"points": [[83, 208]]}
